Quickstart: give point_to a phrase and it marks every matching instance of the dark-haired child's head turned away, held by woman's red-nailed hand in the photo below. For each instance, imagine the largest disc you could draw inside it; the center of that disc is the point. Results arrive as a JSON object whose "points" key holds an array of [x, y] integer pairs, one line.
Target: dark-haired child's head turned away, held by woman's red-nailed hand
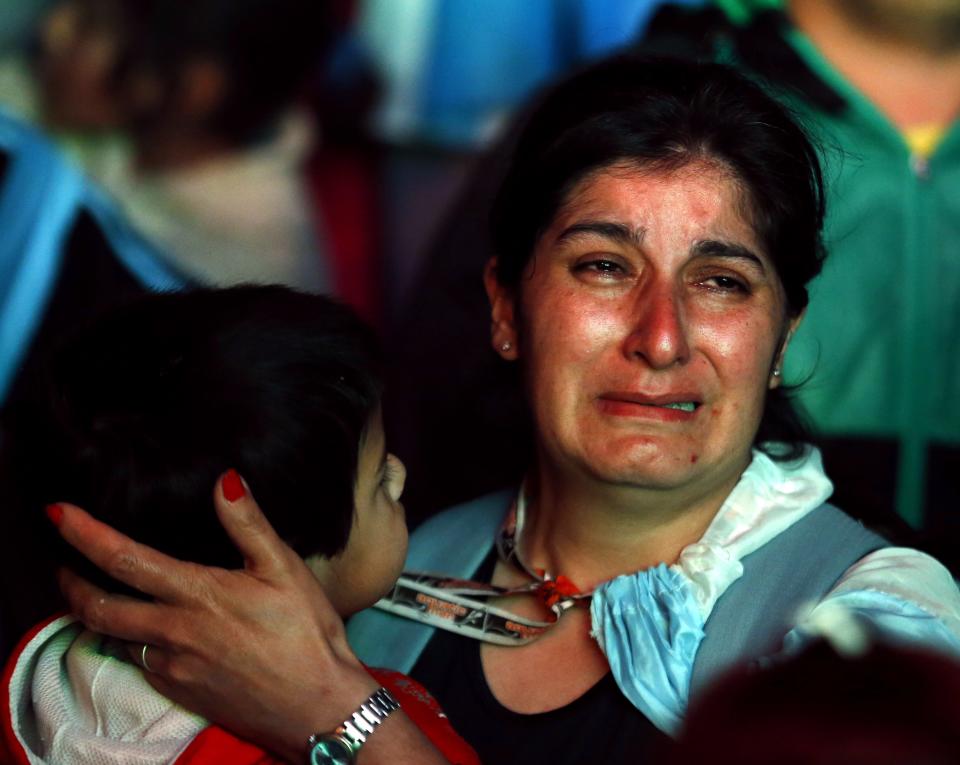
{"points": [[147, 407]]}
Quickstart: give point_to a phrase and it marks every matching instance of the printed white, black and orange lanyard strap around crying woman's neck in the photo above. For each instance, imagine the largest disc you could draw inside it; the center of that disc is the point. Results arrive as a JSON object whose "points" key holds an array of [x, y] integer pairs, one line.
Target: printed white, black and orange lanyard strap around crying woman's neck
{"points": [[463, 606]]}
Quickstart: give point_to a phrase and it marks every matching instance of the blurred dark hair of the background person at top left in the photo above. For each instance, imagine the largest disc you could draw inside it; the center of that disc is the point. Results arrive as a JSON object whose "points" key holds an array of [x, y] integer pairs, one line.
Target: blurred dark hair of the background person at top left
{"points": [[267, 48]]}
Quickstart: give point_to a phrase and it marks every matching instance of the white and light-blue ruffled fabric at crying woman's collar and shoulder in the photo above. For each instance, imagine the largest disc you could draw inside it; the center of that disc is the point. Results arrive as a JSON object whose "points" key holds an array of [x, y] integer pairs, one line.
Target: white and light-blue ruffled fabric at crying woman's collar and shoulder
{"points": [[650, 623]]}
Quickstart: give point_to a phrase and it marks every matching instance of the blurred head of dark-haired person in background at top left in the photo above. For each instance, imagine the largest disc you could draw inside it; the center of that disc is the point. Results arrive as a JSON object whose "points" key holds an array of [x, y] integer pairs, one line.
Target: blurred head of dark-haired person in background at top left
{"points": [[229, 66]]}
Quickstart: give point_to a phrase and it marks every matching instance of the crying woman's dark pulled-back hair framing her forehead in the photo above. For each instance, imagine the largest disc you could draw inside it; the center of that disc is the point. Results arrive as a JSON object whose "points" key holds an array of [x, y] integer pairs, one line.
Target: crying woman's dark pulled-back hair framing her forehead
{"points": [[663, 114]]}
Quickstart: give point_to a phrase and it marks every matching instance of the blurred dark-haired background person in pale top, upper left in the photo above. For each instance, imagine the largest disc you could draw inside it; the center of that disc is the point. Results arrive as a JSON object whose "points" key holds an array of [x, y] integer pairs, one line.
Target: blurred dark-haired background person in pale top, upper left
{"points": [[186, 112]]}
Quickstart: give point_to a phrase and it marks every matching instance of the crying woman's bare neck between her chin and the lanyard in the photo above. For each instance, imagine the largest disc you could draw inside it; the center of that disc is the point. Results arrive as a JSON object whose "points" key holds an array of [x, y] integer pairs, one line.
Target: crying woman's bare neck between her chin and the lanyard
{"points": [[592, 532]]}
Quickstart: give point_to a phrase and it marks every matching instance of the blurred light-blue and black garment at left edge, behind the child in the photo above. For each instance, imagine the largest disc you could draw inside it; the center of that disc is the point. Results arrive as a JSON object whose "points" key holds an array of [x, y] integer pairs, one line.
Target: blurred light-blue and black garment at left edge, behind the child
{"points": [[67, 254]]}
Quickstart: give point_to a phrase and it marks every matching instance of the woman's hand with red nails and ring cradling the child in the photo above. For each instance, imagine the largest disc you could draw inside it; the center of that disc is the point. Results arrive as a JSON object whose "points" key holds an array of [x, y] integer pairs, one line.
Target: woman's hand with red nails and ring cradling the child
{"points": [[259, 651]]}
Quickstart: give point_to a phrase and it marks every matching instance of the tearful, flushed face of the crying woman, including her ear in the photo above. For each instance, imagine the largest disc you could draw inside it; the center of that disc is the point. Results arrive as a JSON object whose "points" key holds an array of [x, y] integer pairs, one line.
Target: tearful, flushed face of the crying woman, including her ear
{"points": [[648, 323]]}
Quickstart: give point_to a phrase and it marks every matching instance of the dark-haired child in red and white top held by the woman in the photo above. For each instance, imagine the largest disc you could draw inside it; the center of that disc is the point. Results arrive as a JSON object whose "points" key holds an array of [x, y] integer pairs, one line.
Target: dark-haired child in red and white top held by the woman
{"points": [[143, 412]]}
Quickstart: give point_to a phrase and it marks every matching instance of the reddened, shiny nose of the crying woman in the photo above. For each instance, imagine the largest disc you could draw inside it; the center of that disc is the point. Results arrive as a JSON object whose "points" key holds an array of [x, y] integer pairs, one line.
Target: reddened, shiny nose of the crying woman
{"points": [[658, 333]]}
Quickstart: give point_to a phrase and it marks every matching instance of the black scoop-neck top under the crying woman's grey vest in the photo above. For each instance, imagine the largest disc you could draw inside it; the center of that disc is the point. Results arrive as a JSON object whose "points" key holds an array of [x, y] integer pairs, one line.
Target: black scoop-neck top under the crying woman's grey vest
{"points": [[600, 726]]}
